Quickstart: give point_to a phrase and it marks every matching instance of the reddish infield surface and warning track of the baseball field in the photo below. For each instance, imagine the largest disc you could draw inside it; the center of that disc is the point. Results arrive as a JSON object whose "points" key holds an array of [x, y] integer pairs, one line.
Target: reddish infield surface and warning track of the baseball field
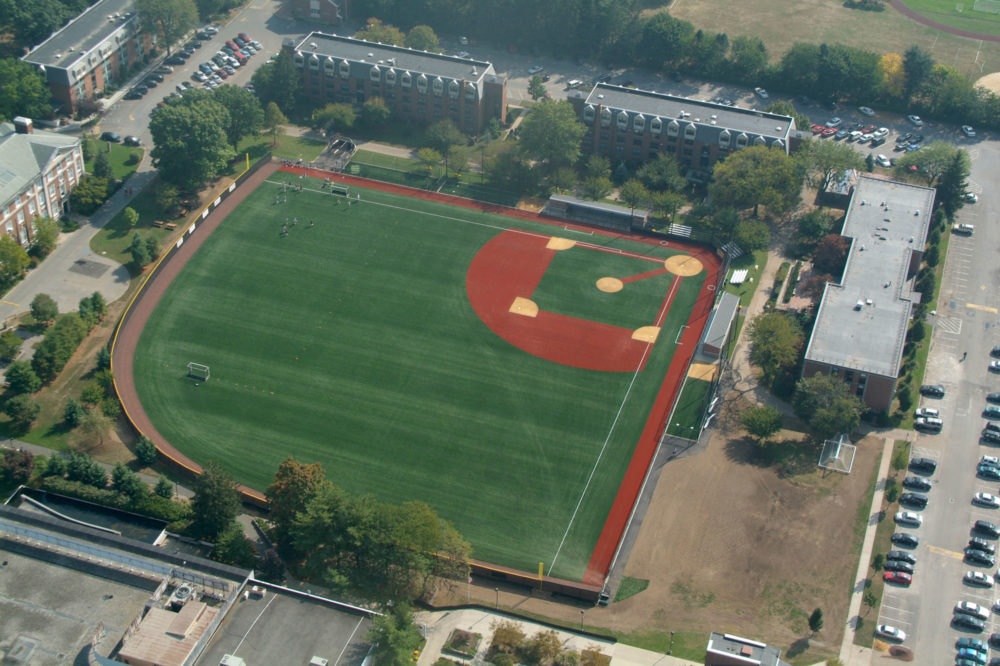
{"points": [[510, 265]]}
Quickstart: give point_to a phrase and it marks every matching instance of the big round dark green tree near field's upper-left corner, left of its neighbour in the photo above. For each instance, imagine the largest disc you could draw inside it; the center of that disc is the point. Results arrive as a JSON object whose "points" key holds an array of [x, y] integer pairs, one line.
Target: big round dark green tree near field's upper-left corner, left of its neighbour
{"points": [[190, 142]]}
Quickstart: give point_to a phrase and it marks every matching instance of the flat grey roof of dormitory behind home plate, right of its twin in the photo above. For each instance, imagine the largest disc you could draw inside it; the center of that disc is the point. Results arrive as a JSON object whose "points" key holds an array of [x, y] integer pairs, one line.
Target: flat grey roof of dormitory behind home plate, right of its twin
{"points": [[668, 107]]}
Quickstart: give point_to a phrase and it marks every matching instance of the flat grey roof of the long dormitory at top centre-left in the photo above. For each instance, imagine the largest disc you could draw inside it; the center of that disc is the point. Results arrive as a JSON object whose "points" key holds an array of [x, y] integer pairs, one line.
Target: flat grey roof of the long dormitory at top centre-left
{"points": [[397, 57]]}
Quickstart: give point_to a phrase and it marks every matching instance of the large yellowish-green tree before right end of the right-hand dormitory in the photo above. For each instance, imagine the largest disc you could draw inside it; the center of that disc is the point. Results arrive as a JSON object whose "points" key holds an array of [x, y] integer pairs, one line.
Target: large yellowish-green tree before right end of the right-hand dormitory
{"points": [[754, 176]]}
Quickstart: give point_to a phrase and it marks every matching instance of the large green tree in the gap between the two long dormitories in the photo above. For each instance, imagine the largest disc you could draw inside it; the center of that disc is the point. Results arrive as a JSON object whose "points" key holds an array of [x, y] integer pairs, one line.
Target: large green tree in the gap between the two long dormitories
{"points": [[551, 133]]}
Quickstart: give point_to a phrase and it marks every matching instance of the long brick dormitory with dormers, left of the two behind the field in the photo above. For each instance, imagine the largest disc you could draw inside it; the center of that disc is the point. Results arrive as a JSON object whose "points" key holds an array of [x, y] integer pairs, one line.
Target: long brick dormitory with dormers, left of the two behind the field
{"points": [[416, 85]]}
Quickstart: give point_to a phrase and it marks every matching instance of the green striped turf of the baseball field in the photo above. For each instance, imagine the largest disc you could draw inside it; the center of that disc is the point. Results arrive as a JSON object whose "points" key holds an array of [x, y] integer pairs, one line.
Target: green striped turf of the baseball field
{"points": [[352, 343]]}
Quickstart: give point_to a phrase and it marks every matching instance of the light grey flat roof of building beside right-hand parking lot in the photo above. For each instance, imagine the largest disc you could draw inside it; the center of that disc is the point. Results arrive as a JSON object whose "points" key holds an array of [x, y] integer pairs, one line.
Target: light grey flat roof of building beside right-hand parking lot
{"points": [[861, 324]]}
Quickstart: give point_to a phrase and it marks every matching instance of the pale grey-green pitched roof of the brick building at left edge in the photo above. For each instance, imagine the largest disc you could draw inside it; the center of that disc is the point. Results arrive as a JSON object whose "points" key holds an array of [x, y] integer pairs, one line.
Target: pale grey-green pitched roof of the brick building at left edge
{"points": [[25, 157]]}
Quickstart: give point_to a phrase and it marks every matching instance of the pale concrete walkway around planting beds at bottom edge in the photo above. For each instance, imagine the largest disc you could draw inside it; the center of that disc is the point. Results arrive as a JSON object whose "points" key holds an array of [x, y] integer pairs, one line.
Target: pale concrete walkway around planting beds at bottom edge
{"points": [[438, 625]]}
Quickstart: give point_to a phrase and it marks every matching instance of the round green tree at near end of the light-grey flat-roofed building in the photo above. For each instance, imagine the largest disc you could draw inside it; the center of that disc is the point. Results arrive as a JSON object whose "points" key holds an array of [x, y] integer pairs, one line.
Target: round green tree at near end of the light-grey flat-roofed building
{"points": [[826, 404]]}
